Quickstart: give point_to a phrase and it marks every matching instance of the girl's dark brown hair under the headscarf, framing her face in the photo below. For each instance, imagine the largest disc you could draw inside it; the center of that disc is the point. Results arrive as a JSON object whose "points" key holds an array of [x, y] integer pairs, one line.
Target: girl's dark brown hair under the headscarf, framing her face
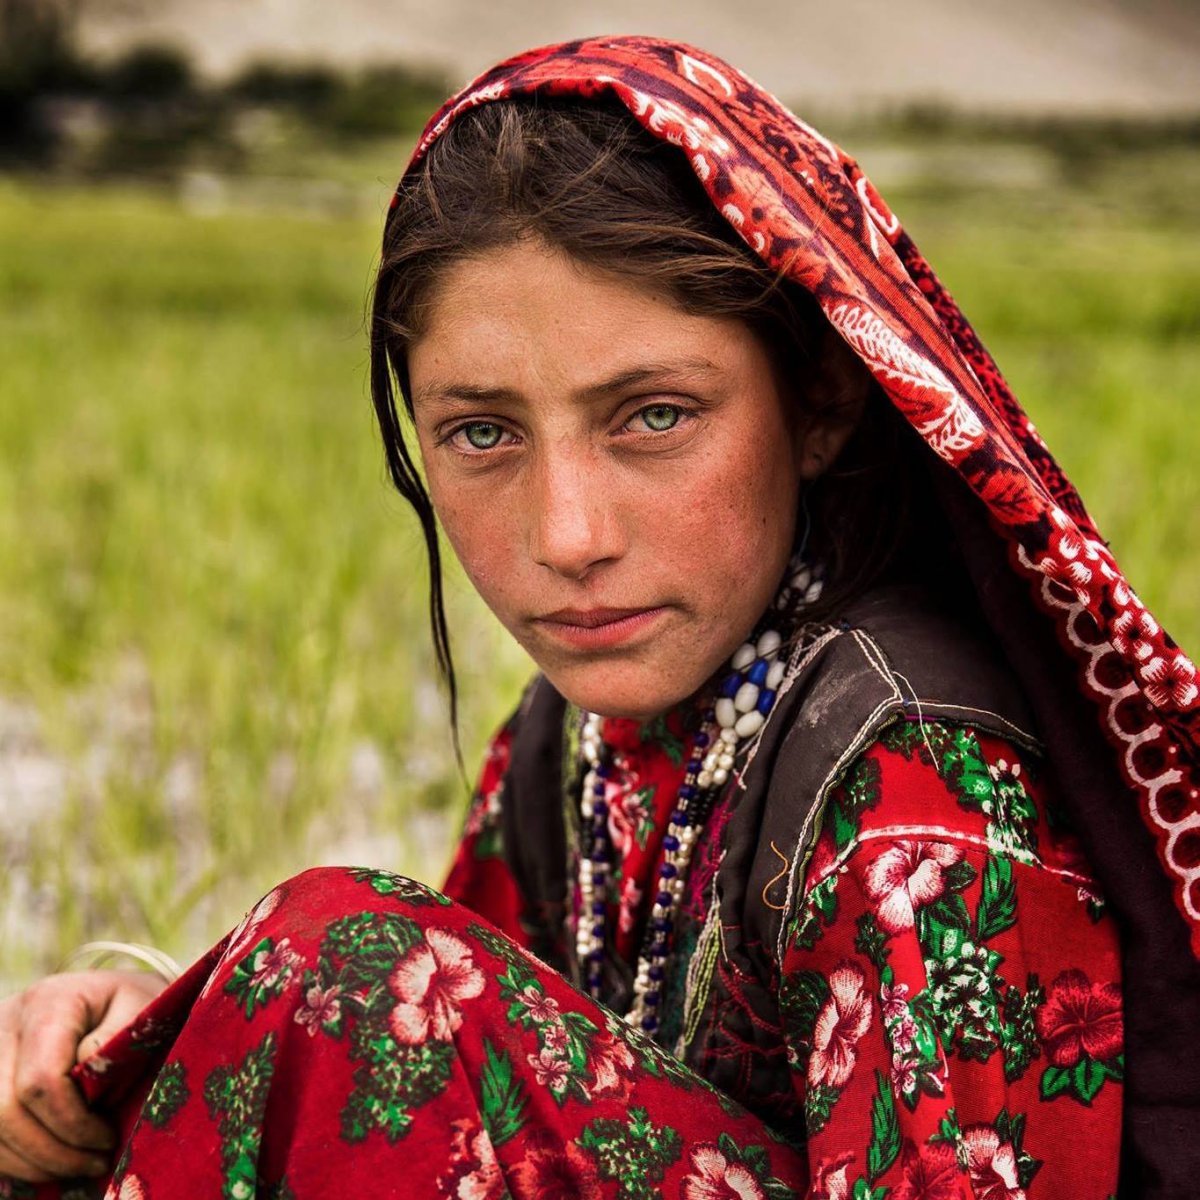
{"points": [[587, 179]]}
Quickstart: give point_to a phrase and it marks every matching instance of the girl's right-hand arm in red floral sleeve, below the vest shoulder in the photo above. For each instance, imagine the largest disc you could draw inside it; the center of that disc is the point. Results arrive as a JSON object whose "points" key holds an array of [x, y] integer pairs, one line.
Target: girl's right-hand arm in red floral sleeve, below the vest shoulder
{"points": [[950, 989]]}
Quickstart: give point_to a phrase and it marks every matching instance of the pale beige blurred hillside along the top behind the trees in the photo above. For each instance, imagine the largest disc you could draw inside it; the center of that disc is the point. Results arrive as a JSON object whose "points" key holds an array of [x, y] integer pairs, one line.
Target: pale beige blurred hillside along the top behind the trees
{"points": [[1111, 57]]}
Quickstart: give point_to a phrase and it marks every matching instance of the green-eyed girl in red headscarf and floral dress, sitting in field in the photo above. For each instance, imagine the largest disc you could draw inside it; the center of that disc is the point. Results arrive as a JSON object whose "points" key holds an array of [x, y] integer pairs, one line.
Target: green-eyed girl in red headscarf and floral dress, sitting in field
{"points": [[844, 845]]}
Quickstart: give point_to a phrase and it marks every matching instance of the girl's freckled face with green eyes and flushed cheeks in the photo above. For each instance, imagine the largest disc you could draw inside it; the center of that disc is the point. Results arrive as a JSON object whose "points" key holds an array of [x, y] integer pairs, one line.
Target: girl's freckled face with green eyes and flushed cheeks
{"points": [[620, 479]]}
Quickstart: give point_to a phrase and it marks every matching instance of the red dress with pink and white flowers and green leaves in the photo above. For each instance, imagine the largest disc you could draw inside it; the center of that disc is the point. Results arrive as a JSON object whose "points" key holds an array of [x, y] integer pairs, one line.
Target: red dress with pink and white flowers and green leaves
{"points": [[949, 1003]]}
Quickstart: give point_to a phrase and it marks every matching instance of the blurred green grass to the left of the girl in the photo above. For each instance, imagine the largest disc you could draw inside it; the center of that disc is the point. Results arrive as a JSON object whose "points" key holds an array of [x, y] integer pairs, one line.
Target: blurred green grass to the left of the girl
{"points": [[214, 662]]}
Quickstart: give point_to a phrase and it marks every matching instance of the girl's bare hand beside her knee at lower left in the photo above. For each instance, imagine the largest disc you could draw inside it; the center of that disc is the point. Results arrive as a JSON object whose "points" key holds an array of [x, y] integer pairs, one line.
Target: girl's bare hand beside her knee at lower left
{"points": [[46, 1130]]}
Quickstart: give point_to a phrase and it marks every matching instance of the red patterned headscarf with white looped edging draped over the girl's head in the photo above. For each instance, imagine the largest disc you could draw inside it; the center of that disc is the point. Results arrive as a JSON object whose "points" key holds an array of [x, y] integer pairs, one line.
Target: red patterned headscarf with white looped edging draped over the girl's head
{"points": [[808, 211]]}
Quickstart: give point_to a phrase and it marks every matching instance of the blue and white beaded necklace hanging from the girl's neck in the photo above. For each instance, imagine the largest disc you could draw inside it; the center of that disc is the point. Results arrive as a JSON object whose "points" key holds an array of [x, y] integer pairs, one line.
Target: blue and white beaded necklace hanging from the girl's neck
{"points": [[740, 711]]}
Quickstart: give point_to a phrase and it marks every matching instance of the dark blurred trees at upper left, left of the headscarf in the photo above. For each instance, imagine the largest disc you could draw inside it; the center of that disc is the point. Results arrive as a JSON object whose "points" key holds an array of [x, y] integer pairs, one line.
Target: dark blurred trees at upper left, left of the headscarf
{"points": [[148, 109]]}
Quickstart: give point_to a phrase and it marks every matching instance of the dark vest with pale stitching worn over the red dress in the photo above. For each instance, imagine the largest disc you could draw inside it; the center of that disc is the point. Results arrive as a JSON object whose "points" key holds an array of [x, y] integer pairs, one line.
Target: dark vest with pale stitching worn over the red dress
{"points": [[893, 655]]}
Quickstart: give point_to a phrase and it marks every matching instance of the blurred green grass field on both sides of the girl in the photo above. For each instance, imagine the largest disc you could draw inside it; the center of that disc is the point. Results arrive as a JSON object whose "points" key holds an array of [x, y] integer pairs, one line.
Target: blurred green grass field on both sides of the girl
{"points": [[214, 662]]}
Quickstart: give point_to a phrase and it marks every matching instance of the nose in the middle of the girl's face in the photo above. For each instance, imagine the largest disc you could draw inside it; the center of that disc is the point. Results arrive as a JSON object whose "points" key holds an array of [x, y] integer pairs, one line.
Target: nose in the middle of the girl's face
{"points": [[574, 523]]}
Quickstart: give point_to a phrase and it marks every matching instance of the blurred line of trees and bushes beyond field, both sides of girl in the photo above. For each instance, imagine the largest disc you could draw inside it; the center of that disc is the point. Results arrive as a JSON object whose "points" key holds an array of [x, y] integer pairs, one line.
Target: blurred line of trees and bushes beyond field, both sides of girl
{"points": [[148, 111]]}
